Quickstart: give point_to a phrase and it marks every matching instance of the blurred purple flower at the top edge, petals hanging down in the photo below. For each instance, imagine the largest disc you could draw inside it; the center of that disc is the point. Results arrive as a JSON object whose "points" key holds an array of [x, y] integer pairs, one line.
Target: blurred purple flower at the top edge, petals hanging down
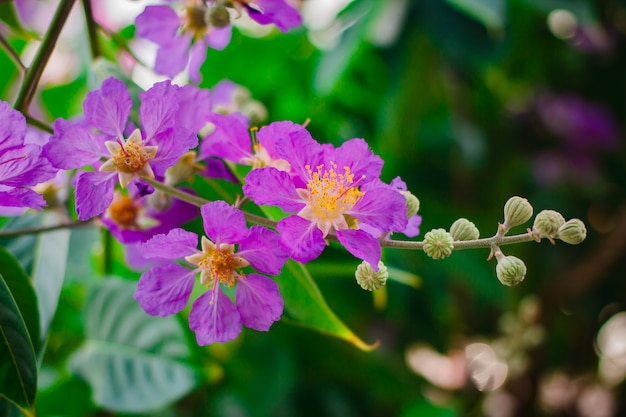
{"points": [[183, 40]]}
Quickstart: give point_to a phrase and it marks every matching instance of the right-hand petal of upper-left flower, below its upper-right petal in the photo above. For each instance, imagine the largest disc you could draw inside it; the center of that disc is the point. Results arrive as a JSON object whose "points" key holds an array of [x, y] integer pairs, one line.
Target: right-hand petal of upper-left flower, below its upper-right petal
{"points": [[172, 144]]}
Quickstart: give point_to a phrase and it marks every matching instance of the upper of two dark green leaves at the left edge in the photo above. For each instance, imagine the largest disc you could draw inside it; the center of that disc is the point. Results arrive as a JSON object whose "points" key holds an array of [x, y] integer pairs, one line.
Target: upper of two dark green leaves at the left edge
{"points": [[23, 293]]}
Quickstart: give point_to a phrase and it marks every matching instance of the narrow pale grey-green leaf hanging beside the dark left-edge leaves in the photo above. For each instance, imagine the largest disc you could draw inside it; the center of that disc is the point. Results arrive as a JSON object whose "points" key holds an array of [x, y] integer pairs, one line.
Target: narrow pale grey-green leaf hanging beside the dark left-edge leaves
{"points": [[49, 265]]}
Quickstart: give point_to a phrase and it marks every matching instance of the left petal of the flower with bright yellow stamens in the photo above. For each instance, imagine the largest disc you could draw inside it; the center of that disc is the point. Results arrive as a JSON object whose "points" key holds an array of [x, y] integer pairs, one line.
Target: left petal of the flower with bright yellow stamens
{"points": [[269, 186]]}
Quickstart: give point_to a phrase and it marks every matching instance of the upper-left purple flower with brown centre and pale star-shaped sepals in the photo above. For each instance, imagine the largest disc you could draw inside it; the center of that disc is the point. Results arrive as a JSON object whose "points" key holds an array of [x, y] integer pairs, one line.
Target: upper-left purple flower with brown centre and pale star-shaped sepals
{"points": [[118, 157]]}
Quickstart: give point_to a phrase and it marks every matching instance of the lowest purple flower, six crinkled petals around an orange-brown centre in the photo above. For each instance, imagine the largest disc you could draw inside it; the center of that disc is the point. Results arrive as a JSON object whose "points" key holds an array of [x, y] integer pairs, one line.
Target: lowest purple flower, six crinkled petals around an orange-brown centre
{"points": [[165, 289]]}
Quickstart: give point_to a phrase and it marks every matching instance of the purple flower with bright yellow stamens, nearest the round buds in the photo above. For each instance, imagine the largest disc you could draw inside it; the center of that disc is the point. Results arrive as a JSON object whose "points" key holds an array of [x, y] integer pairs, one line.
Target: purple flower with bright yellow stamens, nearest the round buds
{"points": [[331, 190]]}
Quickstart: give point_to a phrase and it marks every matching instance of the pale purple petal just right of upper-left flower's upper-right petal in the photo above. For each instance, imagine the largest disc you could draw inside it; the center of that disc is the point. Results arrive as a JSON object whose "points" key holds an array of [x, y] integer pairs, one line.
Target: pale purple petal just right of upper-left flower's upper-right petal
{"points": [[194, 107]]}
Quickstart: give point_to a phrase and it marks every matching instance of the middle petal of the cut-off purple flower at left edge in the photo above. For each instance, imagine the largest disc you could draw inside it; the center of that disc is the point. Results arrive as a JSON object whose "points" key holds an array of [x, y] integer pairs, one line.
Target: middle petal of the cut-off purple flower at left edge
{"points": [[24, 166]]}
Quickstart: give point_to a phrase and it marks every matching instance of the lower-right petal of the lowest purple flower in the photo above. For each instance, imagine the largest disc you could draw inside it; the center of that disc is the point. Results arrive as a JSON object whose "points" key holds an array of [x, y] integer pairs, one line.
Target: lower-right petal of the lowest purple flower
{"points": [[258, 301]]}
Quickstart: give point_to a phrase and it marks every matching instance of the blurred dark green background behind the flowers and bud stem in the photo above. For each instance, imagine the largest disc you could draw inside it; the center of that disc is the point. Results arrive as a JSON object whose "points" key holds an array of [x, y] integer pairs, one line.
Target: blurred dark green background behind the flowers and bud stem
{"points": [[470, 102]]}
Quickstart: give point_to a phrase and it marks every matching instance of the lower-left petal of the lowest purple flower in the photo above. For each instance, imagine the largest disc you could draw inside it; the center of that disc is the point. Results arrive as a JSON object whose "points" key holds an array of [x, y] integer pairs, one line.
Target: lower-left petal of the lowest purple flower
{"points": [[165, 289]]}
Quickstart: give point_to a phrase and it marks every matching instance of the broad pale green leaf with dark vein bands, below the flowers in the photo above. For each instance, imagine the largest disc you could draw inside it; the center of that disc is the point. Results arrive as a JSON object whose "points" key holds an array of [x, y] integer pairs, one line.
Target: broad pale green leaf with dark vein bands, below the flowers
{"points": [[133, 362]]}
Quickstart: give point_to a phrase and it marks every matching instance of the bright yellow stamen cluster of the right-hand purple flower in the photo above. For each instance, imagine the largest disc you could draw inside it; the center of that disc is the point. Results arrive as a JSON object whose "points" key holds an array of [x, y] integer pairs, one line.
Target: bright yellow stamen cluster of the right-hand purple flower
{"points": [[331, 193]]}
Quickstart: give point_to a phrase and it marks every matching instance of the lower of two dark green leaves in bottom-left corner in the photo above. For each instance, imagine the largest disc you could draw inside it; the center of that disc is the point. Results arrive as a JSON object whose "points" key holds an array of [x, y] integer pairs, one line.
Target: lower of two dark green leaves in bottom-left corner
{"points": [[18, 365]]}
